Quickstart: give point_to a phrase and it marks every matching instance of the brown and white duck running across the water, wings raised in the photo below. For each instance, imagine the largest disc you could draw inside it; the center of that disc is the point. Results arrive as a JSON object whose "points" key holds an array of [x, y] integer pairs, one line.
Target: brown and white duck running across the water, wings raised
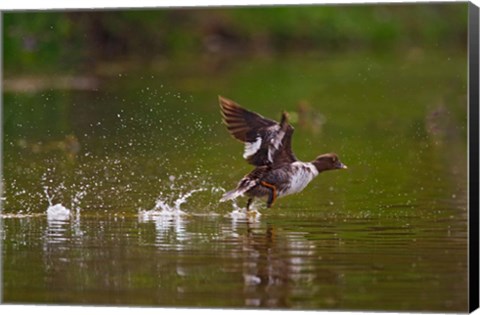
{"points": [[268, 147]]}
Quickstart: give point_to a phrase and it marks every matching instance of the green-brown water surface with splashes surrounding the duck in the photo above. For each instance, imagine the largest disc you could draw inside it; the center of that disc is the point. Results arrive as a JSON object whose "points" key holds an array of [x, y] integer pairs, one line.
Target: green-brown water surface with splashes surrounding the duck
{"points": [[112, 194]]}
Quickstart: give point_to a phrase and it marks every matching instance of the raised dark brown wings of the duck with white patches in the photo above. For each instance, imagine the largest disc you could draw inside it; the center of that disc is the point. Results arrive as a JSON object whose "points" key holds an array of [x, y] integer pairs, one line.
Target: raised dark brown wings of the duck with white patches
{"points": [[266, 141]]}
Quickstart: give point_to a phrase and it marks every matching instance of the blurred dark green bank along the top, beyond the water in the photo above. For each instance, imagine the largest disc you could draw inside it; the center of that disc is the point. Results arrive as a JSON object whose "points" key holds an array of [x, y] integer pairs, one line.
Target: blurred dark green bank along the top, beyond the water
{"points": [[71, 41]]}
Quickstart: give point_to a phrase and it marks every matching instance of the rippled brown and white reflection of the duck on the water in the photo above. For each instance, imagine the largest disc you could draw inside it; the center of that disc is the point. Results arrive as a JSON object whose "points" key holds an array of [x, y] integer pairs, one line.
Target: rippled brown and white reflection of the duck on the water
{"points": [[276, 266]]}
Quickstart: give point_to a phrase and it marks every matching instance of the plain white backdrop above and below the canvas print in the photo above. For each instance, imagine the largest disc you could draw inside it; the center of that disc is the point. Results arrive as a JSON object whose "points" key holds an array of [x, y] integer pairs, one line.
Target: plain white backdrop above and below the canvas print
{"points": [[7, 5]]}
